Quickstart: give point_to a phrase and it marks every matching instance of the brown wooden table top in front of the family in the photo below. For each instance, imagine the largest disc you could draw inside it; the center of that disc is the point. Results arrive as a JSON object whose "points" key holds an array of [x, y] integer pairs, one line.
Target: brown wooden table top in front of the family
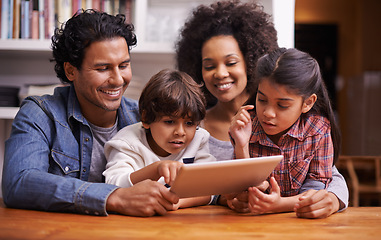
{"points": [[207, 222]]}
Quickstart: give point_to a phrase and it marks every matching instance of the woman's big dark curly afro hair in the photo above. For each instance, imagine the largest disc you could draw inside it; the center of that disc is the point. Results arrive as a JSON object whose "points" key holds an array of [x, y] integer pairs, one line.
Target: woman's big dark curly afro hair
{"points": [[246, 22]]}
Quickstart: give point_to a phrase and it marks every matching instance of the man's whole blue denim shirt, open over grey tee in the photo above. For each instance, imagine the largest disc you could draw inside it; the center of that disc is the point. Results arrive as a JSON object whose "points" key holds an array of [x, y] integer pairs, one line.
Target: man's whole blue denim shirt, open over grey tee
{"points": [[48, 155]]}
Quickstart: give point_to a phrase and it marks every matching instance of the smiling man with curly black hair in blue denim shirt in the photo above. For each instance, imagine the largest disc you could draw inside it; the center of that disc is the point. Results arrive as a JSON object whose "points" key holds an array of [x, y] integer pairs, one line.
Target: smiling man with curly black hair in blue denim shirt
{"points": [[54, 157]]}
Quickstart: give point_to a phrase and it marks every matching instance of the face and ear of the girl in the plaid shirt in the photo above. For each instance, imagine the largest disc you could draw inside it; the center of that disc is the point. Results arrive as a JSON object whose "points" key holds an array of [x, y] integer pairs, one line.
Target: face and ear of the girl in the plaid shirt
{"points": [[278, 109]]}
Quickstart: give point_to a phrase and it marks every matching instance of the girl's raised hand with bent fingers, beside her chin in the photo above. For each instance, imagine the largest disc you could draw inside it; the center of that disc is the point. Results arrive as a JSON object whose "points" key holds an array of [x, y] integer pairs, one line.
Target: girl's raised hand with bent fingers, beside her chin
{"points": [[240, 127]]}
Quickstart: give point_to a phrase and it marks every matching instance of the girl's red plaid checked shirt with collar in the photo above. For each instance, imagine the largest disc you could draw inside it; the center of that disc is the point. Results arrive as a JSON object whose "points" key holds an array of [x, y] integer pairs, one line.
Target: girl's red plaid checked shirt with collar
{"points": [[307, 149]]}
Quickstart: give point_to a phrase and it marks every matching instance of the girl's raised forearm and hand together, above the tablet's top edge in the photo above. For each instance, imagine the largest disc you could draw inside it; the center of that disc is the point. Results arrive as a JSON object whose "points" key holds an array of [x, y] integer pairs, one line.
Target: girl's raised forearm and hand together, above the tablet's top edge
{"points": [[240, 131]]}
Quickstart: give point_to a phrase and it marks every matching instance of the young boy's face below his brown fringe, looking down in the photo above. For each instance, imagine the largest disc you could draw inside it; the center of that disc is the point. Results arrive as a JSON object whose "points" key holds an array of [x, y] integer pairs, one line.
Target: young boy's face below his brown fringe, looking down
{"points": [[170, 135]]}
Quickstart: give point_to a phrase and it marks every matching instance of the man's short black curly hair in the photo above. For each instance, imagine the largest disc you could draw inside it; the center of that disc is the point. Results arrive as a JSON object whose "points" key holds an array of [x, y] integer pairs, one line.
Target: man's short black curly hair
{"points": [[73, 37]]}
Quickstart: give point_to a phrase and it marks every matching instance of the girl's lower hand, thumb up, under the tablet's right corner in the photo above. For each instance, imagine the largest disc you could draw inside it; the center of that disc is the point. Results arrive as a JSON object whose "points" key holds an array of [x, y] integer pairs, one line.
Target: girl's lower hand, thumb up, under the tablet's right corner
{"points": [[260, 203]]}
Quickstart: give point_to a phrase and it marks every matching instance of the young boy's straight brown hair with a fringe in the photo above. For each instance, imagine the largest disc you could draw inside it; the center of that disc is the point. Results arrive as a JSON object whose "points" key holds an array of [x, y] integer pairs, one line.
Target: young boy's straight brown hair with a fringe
{"points": [[171, 93]]}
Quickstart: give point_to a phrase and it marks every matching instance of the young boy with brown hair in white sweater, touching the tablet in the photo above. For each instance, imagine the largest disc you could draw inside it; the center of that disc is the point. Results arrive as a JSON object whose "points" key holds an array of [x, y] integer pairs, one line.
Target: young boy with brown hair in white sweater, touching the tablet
{"points": [[171, 107]]}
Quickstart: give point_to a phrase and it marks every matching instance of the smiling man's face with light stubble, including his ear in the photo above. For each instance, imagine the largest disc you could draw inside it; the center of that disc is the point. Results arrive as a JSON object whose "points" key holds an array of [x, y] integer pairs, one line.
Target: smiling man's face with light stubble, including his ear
{"points": [[103, 78]]}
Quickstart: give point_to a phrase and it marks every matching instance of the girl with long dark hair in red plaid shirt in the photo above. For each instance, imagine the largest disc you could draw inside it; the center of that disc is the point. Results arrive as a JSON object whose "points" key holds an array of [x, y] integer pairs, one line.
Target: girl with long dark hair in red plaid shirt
{"points": [[293, 117]]}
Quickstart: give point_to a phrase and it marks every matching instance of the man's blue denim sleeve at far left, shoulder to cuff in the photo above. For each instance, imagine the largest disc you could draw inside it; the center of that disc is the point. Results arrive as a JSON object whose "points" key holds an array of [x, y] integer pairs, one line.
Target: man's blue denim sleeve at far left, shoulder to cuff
{"points": [[27, 178]]}
